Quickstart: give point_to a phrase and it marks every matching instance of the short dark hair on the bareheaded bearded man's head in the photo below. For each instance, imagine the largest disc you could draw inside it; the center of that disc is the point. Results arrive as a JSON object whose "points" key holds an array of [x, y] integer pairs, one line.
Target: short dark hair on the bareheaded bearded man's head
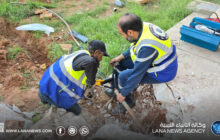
{"points": [[130, 22]]}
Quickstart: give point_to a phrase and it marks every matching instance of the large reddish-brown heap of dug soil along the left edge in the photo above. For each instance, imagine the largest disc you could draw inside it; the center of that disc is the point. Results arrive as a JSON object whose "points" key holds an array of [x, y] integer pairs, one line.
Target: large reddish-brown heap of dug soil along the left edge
{"points": [[23, 71]]}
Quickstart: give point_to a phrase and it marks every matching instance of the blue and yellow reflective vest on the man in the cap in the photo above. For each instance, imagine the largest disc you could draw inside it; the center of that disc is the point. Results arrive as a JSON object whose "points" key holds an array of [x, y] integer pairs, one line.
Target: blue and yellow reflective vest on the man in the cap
{"points": [[62, 83]]}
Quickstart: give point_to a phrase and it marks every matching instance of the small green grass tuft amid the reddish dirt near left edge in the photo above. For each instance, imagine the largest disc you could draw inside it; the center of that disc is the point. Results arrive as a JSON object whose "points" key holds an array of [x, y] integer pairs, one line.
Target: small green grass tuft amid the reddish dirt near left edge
{"points": [[13, 52]]}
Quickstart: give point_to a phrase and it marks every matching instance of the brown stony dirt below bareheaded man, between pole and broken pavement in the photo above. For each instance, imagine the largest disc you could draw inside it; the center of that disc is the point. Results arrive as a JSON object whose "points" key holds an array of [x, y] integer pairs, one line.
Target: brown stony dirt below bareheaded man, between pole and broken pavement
{"points": [[148, 108]]}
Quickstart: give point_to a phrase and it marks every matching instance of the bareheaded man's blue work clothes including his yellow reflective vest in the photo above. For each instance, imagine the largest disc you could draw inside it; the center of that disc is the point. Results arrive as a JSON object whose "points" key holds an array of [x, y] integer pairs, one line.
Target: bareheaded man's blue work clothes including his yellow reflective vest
{"points": [[150, 64]]}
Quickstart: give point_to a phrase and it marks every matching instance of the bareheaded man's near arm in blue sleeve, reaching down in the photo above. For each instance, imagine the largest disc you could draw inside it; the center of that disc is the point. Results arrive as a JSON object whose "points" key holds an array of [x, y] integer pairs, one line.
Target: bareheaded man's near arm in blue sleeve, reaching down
{"points": [[143, 61]]}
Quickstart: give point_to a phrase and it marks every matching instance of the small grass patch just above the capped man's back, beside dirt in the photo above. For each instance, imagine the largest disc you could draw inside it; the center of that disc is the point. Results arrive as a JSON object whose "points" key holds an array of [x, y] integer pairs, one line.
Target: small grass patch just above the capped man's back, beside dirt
{"points": [[55, 51]]}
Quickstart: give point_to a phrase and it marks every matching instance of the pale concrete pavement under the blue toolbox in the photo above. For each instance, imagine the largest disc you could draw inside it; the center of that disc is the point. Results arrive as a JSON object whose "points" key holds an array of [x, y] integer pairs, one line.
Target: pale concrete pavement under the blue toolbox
{"points": [[196, 88]]}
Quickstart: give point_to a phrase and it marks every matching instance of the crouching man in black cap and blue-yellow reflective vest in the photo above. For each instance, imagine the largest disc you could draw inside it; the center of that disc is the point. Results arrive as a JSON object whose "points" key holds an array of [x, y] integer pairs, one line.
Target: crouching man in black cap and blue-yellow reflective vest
{"points": [[71, 76]]}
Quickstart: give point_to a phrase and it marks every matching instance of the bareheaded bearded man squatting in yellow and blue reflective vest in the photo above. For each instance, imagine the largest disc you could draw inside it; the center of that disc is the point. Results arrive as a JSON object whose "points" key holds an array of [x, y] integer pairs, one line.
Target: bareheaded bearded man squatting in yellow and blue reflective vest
{"points": [[150, 59]]}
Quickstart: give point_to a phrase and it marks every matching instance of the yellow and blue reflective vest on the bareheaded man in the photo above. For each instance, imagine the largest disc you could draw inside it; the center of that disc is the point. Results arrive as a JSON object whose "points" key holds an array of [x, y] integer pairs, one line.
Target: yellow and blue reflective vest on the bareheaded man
{"points": [[153, 36]]}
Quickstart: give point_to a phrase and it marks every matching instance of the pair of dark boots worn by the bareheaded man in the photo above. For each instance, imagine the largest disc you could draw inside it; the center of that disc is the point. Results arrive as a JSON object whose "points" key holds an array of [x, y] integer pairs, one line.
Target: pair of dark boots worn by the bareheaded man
{"points": [[120, 109]]}
